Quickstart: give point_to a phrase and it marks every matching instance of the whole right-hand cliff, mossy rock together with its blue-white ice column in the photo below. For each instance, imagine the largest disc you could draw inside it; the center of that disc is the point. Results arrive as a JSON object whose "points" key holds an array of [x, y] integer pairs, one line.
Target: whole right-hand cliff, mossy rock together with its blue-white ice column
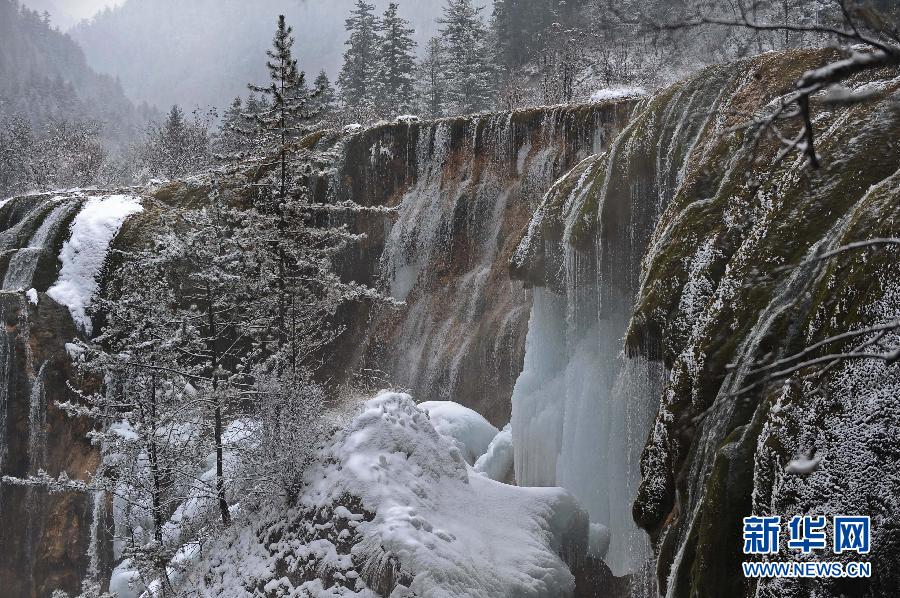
{"points": [[683, 239]]}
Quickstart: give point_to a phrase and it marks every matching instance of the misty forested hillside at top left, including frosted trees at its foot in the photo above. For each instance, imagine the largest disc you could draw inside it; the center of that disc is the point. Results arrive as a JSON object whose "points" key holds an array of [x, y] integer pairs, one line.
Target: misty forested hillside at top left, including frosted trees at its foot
{"points": [[60, 121]]}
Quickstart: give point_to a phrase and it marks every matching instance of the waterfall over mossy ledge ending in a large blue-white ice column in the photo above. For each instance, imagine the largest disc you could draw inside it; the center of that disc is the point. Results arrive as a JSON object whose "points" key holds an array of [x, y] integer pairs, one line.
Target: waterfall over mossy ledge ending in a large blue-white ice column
{"points": [[582, 409]]}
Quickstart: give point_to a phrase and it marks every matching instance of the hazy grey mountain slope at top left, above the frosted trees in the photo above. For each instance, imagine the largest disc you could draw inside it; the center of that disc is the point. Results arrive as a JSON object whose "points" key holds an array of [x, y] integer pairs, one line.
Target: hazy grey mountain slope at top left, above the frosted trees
{"points": [[44, 75]]}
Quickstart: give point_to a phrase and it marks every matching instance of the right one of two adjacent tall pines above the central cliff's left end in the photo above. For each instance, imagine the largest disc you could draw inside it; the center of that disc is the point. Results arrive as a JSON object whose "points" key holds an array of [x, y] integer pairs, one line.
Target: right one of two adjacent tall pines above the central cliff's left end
{"points": [[396, 63]]}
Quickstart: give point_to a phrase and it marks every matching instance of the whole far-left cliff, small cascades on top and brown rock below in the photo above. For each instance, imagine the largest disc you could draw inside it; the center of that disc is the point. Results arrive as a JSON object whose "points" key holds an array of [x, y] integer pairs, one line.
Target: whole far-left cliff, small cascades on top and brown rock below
{"points": [[43, 537]]}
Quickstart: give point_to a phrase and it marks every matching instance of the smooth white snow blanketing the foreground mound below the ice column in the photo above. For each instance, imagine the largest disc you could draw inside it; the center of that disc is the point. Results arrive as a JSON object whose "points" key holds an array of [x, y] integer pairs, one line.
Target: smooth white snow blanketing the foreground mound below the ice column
{"points": [[458, 534]]}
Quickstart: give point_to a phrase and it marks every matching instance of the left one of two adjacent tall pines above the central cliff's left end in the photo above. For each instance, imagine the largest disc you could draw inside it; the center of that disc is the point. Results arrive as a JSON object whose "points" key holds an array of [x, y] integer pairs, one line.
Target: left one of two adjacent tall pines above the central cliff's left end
{"points": [[356, 77]]}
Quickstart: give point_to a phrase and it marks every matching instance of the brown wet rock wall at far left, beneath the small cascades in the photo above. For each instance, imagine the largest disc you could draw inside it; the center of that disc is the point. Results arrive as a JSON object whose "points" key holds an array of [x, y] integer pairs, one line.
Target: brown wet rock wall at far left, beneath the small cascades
{"points": [[43, 538]]}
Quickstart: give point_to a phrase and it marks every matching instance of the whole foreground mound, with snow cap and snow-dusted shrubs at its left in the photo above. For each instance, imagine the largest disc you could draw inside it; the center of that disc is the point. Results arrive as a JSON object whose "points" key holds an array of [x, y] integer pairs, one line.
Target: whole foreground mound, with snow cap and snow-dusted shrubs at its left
{"points": [[392, 509]]}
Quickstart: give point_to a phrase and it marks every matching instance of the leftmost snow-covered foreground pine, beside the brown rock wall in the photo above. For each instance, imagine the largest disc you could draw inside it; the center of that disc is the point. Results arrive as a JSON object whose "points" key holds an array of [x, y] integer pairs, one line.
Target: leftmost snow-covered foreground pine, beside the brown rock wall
{"points": [[149, 429]]}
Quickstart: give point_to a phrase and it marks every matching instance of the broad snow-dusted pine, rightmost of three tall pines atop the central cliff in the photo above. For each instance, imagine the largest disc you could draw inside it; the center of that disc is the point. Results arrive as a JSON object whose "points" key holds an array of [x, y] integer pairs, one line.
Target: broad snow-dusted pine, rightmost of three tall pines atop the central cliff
{"points": [[468, 71]]}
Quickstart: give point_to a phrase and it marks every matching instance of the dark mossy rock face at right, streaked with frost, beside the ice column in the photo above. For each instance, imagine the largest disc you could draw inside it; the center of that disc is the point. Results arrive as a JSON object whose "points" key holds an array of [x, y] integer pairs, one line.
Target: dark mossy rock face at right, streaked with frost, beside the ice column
{"points": [[715, 291]]}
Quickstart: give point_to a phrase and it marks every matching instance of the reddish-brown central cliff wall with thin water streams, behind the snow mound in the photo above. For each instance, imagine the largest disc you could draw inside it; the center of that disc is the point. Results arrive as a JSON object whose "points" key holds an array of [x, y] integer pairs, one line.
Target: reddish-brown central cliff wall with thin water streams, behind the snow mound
{"points": [[464, 189]]}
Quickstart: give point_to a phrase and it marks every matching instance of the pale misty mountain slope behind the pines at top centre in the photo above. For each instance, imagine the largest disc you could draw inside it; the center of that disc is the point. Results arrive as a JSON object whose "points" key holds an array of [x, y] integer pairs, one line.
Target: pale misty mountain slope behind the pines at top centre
{"points": [[205, 52]]}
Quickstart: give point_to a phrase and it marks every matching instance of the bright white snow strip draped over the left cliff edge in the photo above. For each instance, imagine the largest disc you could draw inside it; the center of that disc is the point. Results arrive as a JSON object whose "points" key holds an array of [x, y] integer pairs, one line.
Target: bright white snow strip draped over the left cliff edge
{"points": [[84, 253]]}
